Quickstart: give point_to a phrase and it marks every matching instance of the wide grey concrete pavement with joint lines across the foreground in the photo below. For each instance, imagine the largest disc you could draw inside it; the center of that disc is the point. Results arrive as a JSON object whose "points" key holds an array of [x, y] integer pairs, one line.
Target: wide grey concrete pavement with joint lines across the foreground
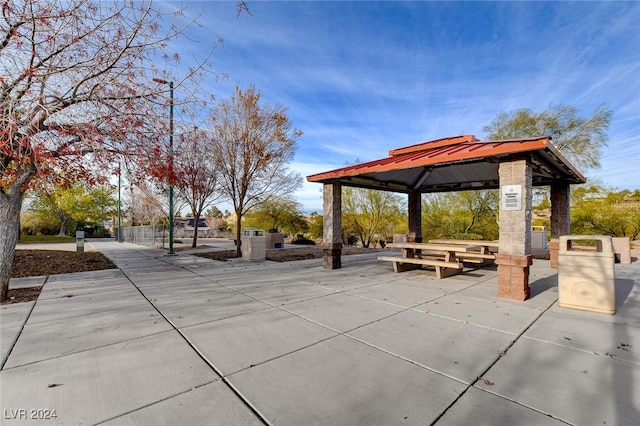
{"points": [[187, 340]]}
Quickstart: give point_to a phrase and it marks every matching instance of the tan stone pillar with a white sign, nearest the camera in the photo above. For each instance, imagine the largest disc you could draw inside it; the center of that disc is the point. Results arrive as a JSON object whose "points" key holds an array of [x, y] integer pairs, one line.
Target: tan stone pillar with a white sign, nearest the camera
{"points": [[514, 252]]}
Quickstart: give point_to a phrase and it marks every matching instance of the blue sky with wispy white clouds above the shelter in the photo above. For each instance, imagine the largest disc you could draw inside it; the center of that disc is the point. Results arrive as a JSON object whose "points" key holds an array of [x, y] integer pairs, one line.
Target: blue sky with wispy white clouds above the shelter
{"points": [[361, 78]]}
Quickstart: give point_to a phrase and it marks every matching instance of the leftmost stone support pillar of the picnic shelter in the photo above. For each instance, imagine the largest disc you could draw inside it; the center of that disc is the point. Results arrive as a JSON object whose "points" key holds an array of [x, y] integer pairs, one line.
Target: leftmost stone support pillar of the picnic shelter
{"points": [[332, 226]]}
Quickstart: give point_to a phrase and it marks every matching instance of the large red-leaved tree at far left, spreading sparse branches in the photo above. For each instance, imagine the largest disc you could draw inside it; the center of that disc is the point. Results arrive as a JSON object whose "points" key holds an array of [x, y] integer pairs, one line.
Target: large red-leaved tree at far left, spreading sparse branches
{"points": [[75, 87]]}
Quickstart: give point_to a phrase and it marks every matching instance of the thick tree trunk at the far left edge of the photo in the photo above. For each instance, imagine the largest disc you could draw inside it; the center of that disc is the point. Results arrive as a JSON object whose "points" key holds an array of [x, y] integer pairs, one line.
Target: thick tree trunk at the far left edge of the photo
{"points": [[10, 206]]}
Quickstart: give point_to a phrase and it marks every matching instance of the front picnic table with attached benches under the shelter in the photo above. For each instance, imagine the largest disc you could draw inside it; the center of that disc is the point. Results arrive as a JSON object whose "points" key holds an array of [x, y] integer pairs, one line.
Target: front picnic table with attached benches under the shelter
{"points": [[445, 258]]}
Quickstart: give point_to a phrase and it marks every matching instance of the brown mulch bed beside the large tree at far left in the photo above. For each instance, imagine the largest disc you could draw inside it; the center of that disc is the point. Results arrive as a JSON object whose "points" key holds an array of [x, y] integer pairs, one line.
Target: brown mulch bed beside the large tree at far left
{"points": [[30, 263]]}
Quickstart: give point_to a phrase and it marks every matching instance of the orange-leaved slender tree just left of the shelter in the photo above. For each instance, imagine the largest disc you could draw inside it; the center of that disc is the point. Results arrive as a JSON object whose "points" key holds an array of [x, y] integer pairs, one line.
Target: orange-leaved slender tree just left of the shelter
{"points": [[253, 145]]}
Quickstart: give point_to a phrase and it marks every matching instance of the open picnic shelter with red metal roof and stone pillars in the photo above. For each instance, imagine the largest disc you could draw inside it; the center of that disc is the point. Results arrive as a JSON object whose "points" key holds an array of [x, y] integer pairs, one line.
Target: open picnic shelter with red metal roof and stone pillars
{"points": [[462, 163]]}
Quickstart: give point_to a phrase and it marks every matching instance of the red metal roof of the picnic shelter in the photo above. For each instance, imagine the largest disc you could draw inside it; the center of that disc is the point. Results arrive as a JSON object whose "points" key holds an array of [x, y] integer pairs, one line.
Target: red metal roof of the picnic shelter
{"points": [[455, 164]]}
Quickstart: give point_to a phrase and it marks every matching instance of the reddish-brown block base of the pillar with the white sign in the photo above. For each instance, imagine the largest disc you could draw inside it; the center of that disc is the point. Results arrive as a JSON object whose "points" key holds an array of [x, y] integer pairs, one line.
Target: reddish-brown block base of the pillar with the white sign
{"points": [[513, 276]]}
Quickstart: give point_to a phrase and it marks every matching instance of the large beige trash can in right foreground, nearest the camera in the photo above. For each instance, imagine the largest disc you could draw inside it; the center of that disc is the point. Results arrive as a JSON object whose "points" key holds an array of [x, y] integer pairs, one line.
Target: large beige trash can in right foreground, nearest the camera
{"points": [[586, 275]]}
